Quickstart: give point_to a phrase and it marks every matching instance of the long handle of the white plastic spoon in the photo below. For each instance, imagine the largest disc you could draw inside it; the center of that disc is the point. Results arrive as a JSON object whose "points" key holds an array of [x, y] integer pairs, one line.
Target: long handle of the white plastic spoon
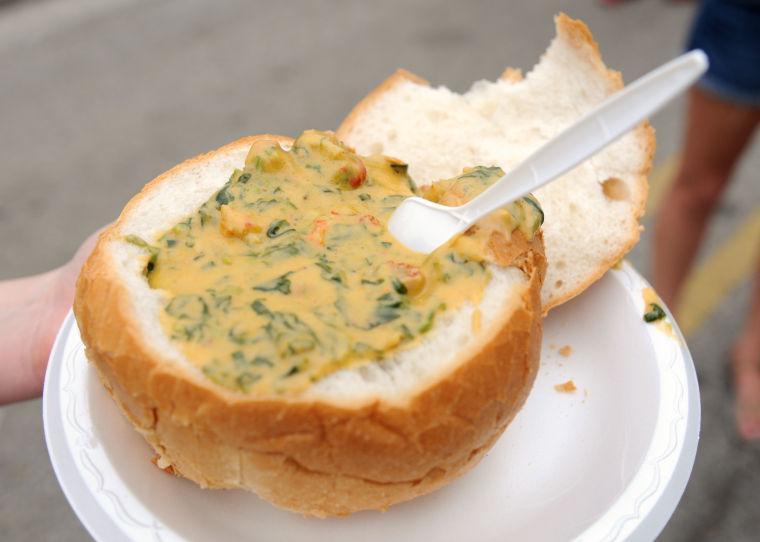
{"points": [[597, 129]]}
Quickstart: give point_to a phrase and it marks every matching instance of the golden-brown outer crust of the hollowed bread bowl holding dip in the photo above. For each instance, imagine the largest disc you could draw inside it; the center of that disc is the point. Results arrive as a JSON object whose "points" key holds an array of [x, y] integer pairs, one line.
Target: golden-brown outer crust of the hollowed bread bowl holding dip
{"points": [[311, 456]]}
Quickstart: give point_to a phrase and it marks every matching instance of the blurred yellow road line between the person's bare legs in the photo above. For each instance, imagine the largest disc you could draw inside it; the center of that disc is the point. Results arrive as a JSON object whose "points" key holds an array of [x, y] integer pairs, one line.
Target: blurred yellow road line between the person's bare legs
{"points": [[728, 266]]}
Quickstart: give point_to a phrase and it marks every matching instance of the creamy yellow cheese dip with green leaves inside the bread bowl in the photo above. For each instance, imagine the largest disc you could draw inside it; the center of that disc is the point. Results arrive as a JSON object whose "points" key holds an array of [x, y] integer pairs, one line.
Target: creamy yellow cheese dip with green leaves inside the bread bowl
{"points": [[288, 273]]}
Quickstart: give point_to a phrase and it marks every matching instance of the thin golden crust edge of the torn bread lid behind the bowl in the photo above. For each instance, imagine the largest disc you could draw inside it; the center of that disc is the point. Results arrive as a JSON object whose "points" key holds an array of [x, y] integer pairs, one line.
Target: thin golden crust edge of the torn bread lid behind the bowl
{"points": [[578, 34]]}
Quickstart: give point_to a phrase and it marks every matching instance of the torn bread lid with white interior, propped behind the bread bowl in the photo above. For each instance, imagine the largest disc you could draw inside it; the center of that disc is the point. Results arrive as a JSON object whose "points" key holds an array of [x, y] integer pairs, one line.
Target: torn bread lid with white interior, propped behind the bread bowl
{"points": [[588, 227]]}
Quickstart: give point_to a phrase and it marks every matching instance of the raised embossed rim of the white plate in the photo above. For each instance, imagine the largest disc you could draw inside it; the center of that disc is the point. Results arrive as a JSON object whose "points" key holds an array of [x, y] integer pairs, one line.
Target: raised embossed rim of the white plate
{"points": [[664, 473]]}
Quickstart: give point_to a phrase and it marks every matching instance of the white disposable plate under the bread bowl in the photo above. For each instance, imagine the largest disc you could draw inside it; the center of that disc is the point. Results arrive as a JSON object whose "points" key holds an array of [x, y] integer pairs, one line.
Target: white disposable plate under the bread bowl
{"points": [[607, 462]]}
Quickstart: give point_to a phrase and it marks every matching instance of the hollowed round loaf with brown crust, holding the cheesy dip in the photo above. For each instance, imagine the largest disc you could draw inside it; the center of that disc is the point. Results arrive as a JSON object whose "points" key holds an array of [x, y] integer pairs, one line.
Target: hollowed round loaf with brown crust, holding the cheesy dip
{"points": [[361, 438]]}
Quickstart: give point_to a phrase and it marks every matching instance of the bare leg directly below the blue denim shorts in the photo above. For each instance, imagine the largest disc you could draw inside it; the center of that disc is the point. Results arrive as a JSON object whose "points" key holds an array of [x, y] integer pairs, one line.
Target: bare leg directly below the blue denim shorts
{"points": [[717, 131]]}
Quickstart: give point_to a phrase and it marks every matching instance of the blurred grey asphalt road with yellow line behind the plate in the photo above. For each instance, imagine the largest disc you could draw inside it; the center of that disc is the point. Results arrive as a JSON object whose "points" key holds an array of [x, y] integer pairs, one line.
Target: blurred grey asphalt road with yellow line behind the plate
{"points": [[99, 96]]}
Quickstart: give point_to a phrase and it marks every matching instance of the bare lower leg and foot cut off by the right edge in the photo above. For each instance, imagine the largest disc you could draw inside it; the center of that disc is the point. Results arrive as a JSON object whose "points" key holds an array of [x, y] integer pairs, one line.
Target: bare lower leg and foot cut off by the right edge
{"points": [[746, 365]]}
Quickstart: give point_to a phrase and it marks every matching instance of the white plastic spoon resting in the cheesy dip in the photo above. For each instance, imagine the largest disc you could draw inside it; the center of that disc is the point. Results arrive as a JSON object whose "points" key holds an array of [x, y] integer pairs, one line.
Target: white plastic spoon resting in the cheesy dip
{"points": [[423, 225]]}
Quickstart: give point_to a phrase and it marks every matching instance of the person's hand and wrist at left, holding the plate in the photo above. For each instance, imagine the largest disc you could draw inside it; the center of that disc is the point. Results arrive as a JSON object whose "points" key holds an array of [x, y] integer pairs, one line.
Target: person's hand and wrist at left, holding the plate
{"points": [[31, 311]]}
